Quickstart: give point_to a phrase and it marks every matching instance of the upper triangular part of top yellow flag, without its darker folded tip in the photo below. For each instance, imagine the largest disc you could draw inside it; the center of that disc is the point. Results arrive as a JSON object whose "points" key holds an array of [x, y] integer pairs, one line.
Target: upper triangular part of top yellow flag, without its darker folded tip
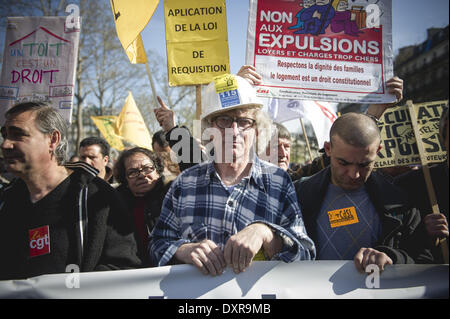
{"points": [[131, 17]]}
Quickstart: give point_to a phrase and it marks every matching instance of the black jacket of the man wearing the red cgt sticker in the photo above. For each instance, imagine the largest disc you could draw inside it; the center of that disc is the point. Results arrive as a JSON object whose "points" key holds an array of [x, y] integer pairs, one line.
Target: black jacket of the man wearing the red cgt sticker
{"points": [[88, 226]]}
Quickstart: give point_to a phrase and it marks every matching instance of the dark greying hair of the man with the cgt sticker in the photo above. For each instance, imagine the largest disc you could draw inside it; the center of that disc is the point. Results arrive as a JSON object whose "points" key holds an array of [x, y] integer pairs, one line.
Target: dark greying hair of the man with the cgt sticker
{"points": [[47, 120]]}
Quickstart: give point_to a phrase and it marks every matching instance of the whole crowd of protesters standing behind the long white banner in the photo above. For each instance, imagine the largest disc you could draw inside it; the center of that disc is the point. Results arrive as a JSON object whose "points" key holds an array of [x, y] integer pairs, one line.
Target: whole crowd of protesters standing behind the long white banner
{"points": [[226, 200]]}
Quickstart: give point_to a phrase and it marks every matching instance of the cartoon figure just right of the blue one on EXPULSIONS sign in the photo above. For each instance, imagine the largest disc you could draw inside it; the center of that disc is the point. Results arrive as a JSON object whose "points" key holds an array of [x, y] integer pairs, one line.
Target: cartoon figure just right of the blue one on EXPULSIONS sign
{"points": [[344, 19]]}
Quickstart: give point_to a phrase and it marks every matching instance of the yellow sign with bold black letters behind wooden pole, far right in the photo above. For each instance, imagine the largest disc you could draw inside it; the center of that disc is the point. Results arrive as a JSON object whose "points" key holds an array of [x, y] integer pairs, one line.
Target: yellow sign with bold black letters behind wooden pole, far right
{"points": [[397, 136]]}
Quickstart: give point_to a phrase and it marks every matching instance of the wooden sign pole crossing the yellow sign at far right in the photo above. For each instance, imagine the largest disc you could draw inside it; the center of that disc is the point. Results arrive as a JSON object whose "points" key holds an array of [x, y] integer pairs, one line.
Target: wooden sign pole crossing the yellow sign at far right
{"points": [[426, 174]]}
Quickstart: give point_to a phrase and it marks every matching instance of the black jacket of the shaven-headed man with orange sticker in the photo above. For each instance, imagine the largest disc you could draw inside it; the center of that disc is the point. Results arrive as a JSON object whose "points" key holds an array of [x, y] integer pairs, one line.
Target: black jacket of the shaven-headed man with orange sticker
{"points": [[397, 218]]}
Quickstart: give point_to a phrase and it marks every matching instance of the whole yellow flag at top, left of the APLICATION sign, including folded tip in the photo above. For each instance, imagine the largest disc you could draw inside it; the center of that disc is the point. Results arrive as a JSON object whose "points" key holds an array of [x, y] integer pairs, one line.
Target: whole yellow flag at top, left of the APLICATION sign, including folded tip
{"points": [[131, 17]]}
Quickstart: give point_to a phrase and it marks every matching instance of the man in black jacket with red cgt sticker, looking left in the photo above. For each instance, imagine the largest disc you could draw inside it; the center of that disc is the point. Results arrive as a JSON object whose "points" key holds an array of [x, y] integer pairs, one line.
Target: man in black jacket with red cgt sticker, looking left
{"points": [[55, 216]]}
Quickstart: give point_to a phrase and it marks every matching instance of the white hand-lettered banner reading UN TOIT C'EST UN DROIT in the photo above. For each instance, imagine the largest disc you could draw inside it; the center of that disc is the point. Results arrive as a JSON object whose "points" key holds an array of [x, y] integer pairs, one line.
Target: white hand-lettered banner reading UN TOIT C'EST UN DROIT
{"points": [[39, 62]]}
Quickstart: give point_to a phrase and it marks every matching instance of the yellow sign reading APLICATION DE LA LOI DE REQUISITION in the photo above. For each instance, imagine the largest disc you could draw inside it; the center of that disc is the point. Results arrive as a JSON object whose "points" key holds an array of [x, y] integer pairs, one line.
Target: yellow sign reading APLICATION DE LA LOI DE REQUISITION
{"points": [[196, 41]]}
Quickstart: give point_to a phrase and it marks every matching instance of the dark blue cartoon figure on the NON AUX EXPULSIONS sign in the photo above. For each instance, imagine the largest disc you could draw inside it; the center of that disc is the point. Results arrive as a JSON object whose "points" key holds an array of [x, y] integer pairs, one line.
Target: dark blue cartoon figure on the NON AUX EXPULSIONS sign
{"points": [[317, 18]]}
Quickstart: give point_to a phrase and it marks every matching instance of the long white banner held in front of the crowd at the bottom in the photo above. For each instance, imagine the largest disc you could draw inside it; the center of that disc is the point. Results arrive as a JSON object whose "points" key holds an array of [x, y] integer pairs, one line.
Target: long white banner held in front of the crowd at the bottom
{"points": [[262, 280]]}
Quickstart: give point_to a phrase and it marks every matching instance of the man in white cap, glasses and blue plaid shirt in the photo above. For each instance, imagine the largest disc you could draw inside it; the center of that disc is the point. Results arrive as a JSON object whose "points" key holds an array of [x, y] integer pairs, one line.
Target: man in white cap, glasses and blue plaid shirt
{"points": [[234, 207]]}
